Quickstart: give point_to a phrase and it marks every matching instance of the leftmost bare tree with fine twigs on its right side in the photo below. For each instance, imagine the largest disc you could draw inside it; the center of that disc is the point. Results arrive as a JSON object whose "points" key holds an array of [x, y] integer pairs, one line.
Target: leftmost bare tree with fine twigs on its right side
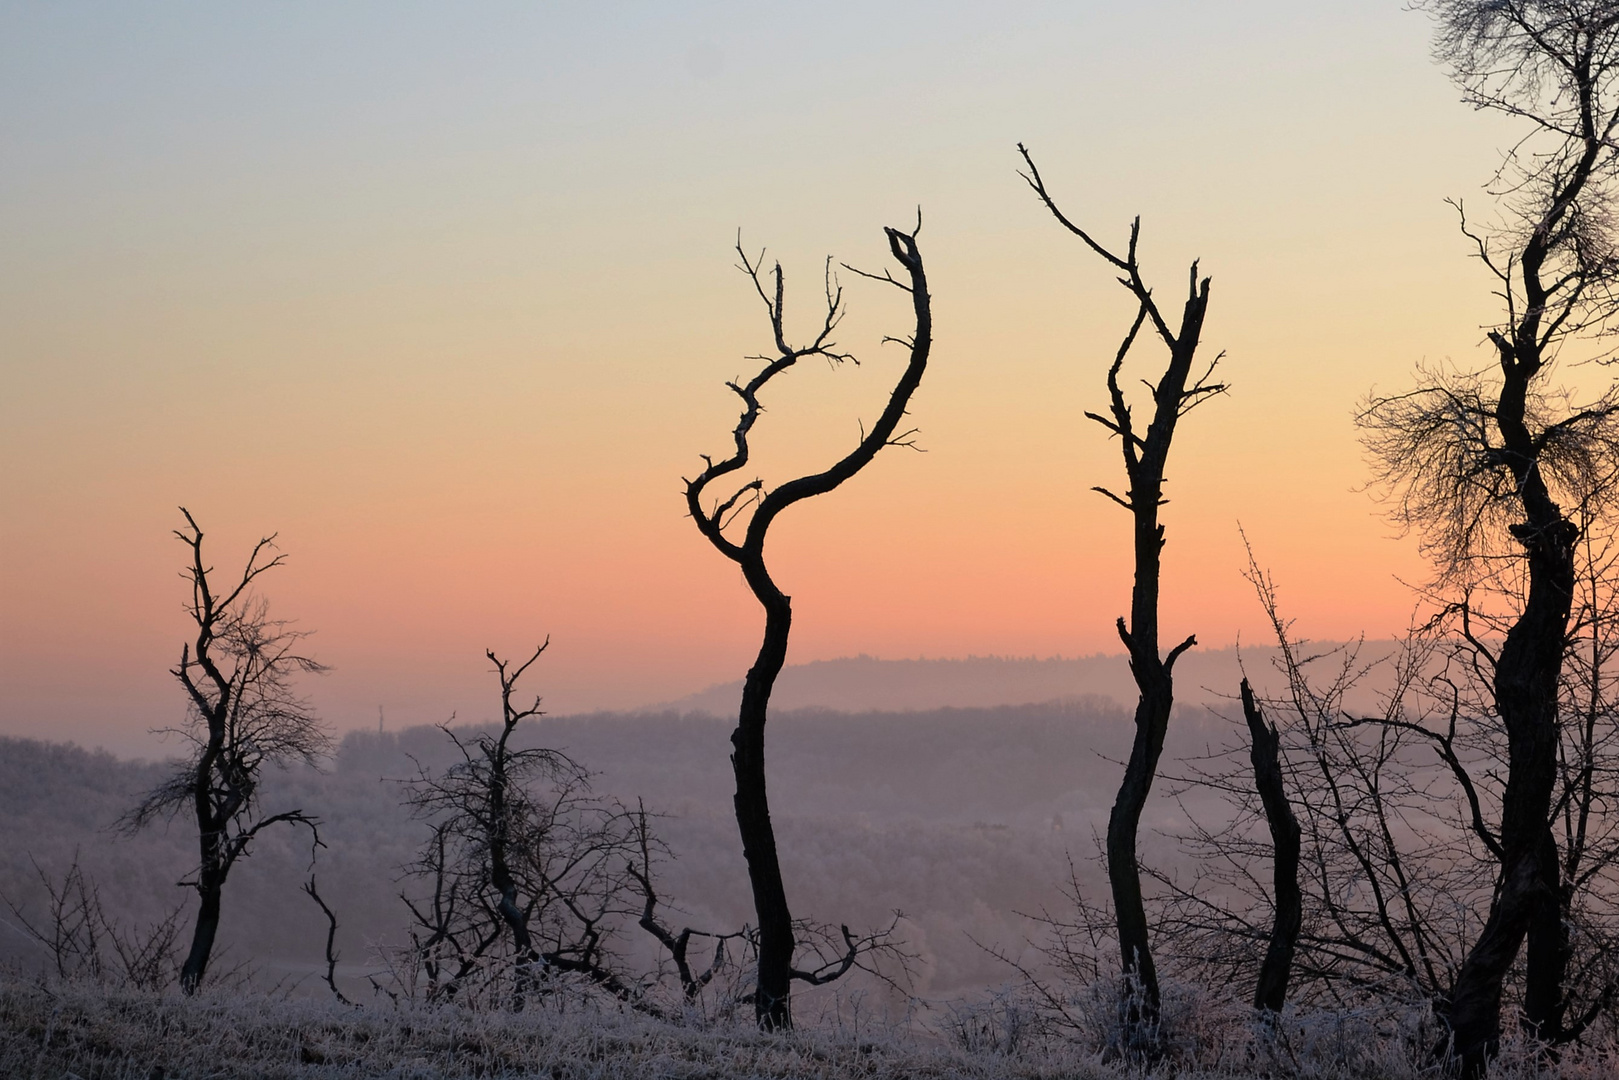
{"points": [[242, 715]]}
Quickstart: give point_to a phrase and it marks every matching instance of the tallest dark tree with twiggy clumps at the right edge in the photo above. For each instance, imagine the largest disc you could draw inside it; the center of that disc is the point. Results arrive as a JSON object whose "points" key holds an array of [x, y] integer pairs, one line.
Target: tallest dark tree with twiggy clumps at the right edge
{"points": [[1497, 469]]}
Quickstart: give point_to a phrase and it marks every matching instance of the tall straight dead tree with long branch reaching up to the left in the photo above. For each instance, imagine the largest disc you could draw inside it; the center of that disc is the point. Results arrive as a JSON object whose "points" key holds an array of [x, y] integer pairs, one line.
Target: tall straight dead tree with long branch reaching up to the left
{"points": [[1176, 393]]}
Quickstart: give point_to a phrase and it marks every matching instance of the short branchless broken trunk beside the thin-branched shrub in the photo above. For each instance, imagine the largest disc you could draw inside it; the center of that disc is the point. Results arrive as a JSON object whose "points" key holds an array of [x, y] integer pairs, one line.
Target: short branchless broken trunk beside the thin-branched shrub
{"points": [[1270, 993]]}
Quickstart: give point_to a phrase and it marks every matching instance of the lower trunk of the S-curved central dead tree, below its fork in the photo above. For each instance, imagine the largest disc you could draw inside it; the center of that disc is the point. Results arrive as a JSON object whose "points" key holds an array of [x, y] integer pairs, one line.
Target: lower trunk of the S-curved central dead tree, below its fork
{"points": [[773, 1001]]}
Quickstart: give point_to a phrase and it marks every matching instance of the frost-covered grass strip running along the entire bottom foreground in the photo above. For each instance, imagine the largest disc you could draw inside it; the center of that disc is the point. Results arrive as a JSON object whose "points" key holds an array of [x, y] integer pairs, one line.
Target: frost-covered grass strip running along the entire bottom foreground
{"points": [[98, 1034]]}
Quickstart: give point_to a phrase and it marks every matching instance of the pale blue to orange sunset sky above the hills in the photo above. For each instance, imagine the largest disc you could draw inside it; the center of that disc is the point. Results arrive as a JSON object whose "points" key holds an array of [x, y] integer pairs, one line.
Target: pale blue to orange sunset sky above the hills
{"points": [[446, 299]]}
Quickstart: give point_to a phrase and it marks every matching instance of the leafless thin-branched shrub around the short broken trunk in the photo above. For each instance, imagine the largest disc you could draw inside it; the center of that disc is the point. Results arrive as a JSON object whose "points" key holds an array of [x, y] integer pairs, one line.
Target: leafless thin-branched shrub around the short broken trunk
{"points": [[1385, 856]]}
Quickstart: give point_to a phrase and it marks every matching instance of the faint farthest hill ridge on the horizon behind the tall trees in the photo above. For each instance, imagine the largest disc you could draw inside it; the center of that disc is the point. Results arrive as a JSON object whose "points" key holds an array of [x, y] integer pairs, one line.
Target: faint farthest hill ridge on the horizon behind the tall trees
{"points": [[862, 684]]}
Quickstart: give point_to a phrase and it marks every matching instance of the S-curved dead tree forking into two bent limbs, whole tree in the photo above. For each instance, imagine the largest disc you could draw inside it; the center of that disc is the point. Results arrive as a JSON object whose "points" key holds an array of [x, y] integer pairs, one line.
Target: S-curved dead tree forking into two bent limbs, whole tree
{"points": [[776, 942]]}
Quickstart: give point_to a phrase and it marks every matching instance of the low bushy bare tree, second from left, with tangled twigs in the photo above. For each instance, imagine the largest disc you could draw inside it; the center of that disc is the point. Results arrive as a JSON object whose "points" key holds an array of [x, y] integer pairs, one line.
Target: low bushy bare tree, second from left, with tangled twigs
{"points": [[525, 865]]}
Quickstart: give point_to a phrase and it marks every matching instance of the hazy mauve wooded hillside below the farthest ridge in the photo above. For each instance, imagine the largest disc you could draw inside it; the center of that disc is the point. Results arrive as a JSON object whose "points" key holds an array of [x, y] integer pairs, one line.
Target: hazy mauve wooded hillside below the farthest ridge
{"points": [[961, 819]]}
